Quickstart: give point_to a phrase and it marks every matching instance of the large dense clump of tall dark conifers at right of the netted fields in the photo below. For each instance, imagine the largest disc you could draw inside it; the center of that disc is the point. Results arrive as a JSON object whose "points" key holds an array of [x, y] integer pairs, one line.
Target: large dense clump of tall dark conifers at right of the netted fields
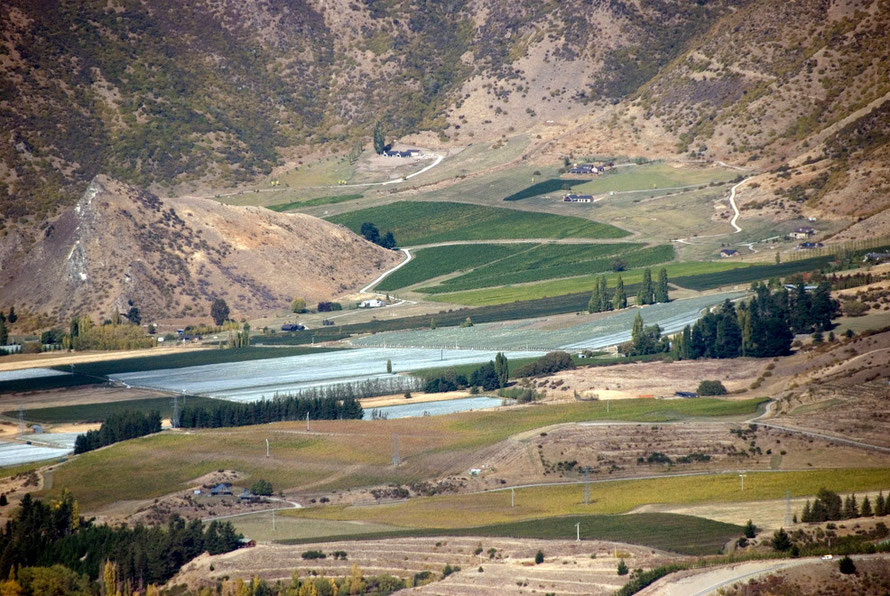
{"points": [[763, 327]]}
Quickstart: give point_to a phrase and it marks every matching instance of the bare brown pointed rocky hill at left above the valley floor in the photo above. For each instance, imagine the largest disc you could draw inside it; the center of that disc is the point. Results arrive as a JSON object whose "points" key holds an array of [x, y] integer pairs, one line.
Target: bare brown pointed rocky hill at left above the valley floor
{"points": [[119, 246]]}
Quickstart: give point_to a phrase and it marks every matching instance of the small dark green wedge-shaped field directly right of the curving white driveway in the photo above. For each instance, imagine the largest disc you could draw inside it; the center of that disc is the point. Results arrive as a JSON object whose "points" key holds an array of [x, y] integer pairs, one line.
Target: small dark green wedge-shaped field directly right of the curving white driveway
{"points": [[428, 263]]}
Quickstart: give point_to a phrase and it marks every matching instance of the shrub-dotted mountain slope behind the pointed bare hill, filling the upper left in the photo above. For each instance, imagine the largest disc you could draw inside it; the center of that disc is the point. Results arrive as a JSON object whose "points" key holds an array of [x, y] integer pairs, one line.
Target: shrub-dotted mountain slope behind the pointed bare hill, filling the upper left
{"points": [[160, 93]]}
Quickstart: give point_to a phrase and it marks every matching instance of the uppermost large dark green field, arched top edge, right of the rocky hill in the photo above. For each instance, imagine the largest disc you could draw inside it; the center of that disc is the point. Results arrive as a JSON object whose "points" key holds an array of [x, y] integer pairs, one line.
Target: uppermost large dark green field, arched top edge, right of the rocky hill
{"points": [[415, 223]]}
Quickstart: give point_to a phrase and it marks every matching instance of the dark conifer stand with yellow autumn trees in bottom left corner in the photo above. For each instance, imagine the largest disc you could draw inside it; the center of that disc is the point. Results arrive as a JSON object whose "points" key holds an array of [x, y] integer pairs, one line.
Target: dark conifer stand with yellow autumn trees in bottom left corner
{"points": [[48, 534]]}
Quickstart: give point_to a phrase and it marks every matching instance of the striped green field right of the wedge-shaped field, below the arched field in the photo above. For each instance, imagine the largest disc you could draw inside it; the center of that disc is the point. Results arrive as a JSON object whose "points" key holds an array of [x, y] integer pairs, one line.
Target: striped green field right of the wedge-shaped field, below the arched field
{"points": [[553, 261]]}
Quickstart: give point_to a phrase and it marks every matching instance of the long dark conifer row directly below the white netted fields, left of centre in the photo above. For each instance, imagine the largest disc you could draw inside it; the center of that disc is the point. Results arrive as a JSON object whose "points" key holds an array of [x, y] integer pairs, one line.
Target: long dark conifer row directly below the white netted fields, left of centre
{"points": [[264, 411]]}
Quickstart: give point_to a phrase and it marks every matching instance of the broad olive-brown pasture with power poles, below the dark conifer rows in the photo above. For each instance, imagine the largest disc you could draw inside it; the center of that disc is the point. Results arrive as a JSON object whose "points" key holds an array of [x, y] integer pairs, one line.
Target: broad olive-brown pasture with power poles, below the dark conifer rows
{"points": [[156, 465]]}
